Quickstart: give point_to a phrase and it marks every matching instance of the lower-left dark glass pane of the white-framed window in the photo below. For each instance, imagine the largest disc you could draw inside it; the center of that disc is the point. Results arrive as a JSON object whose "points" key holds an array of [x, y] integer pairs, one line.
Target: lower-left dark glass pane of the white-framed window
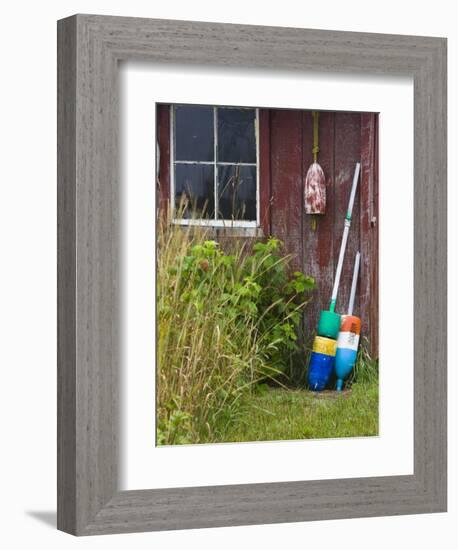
{"points": [[194, 190]]}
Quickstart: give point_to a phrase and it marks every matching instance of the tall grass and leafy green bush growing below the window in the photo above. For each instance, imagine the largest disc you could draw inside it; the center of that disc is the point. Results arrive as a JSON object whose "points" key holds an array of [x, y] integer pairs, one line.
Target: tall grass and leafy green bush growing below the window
{"points": [[216, 337]]}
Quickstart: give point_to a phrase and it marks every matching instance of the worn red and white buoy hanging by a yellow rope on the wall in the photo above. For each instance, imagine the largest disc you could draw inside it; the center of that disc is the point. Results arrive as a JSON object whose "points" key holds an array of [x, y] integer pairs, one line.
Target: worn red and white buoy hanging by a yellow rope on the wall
{"points": [[315, 181]]}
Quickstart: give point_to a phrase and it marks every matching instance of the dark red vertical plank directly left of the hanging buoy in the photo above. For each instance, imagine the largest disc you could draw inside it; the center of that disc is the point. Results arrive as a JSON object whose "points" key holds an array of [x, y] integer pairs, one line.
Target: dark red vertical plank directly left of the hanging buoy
{"points": [[286, 171]]}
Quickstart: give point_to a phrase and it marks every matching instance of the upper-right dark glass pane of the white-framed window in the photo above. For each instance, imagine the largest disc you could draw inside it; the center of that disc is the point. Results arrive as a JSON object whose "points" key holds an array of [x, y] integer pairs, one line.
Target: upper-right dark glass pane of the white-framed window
{"points": [[236, 135]]}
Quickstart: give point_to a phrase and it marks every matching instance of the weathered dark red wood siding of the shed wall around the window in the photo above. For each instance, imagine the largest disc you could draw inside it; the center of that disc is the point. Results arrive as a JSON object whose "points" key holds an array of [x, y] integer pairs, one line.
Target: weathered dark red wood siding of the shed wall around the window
{"points": [[286, 141]]}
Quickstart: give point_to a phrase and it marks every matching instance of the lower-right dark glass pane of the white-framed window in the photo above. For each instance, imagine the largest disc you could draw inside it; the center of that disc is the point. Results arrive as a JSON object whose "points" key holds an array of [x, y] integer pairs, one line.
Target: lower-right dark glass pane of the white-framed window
{"points": [[237, 192]]}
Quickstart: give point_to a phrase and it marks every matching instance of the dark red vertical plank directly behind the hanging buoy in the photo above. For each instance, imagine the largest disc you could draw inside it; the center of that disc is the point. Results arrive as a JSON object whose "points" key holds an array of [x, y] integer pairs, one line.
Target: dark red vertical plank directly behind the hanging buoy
{"points": [[319, 244]]}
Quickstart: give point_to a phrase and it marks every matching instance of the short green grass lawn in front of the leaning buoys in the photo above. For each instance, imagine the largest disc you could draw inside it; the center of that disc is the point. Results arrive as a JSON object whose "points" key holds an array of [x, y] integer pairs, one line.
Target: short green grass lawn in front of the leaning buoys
{"points": [[276, 414]]}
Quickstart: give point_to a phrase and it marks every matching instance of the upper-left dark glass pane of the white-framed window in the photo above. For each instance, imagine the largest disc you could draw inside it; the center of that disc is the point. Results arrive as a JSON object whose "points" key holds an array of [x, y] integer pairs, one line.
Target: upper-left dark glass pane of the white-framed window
{"points": [[194, 133]]}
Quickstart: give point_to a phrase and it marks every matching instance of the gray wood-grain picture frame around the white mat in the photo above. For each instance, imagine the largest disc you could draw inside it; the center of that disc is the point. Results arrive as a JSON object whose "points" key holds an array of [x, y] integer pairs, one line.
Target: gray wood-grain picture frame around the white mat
{"points": [[89, 49]]}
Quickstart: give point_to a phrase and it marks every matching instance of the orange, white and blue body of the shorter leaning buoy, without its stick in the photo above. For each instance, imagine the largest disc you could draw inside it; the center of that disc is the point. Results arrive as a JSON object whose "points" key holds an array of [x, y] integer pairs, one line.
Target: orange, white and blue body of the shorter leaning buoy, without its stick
{"points": [[347, 348]]}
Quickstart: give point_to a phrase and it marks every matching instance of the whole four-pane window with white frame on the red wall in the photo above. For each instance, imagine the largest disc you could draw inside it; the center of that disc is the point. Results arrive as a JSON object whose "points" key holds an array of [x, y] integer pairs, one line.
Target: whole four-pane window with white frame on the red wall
{"points": [[215, 165]]}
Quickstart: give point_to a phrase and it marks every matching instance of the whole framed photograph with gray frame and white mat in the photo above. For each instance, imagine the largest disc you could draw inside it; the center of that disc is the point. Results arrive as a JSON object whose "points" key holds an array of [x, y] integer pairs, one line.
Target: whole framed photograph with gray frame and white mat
{"points": [[251, 275]]}
